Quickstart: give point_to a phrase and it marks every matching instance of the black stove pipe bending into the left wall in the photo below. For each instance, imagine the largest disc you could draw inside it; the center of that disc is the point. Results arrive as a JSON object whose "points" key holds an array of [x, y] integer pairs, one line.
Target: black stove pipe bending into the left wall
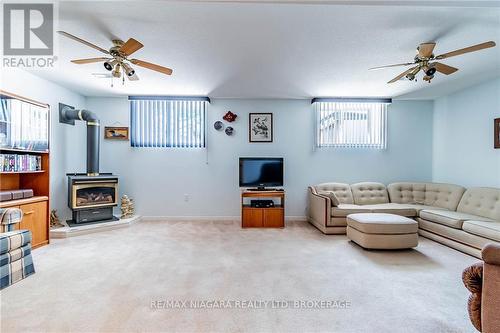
{"points": [[92, 136]]}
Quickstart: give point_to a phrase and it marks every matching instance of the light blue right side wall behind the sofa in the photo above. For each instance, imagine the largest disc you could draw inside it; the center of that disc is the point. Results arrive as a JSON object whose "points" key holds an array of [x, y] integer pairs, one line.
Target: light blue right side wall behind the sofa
{"points": [[463, 136]]}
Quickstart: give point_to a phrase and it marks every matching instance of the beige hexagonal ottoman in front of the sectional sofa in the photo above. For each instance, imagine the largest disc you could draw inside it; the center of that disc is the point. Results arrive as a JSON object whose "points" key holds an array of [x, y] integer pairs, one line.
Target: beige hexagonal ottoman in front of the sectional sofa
{"points": [[382, 231]]}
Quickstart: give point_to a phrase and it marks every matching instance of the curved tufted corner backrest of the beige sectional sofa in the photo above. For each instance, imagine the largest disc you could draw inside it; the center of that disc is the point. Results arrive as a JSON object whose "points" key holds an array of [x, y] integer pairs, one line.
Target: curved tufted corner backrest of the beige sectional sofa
{"points": [[430, 194]]}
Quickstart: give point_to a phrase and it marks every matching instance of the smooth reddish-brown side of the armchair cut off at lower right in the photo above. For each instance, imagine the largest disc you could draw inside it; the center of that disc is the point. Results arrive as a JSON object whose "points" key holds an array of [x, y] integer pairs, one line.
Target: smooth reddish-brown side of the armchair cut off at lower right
{"points": [[490, 307]]}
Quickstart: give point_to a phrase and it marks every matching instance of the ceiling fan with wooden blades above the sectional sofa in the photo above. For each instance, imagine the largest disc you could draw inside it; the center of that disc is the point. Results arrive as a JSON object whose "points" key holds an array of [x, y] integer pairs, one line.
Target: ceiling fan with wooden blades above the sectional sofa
{"points": [[425, 61]]}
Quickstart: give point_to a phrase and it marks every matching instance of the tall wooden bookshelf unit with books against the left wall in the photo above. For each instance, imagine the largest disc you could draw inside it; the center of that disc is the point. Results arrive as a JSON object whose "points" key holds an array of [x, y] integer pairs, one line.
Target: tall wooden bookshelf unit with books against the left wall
{"points": [[35, 209]]}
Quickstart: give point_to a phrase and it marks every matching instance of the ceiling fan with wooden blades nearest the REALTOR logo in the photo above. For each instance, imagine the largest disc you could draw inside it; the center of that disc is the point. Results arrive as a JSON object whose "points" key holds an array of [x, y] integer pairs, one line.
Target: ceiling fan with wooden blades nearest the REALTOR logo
{"points": [[117, 60]]}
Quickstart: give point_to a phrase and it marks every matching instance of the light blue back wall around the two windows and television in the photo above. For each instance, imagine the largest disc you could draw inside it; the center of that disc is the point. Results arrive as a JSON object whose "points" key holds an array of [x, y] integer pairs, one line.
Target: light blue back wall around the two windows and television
{"points": [[159, 178]]}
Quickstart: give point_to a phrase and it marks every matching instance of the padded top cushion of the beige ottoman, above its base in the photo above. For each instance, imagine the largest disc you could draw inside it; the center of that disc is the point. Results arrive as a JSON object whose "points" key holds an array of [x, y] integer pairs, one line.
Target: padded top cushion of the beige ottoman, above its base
{"points": [[387, 224]]}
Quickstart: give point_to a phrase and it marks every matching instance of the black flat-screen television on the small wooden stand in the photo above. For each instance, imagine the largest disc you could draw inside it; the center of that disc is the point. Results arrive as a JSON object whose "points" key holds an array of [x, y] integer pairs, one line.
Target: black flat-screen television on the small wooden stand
{"points": [[261, 172]]}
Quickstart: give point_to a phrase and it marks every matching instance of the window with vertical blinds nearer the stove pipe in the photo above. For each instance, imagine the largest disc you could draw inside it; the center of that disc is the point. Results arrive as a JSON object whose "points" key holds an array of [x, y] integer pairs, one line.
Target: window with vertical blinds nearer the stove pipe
{"points": [[168, 122]]}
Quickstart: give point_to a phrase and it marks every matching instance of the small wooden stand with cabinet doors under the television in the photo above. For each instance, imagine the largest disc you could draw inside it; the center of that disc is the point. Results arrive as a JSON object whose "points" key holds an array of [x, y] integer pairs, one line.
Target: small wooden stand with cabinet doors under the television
{"points": [[265, 217]]}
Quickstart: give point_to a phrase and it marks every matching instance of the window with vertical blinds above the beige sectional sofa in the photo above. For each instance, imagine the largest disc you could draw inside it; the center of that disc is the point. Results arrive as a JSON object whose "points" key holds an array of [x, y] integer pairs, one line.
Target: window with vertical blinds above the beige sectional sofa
{"points": [[351, 123]]}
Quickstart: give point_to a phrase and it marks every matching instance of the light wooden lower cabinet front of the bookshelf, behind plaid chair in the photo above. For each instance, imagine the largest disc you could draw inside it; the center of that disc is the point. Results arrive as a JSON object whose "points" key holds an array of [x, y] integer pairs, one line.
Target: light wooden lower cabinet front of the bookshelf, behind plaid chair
{"points": [[35, 220]]}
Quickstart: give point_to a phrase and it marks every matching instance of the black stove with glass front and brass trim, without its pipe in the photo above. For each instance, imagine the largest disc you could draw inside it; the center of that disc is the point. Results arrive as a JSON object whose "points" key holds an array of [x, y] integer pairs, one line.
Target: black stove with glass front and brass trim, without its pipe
{"points": [[92, 198]]}
